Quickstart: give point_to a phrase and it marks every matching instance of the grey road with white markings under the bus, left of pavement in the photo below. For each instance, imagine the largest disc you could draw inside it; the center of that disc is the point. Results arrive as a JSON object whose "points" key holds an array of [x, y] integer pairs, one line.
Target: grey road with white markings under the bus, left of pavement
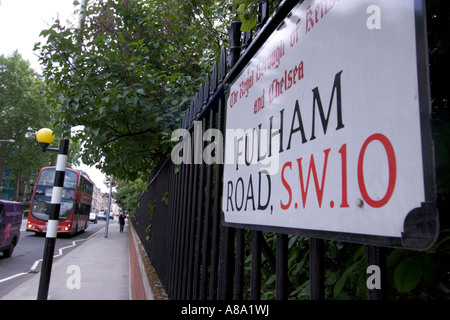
{"points": [[27, 255]]}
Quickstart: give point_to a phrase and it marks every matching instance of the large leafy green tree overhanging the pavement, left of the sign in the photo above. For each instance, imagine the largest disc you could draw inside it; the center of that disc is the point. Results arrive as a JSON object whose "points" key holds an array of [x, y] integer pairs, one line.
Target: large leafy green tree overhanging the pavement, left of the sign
{"points": [[129, 75]]}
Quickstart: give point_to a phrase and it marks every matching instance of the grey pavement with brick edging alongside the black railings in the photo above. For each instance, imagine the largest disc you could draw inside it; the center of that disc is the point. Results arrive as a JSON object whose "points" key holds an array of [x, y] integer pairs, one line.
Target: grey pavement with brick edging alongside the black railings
{"points": [[98, 269]]}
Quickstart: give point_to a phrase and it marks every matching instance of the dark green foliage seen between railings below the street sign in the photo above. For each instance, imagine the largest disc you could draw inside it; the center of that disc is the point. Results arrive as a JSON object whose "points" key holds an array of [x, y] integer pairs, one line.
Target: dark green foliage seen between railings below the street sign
{"points": [[410, 274]]}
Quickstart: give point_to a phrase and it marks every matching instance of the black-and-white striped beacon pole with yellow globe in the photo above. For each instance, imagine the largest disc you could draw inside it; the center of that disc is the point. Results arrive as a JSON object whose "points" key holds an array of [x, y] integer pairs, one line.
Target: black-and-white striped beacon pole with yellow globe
{"points": [[45, 137]]}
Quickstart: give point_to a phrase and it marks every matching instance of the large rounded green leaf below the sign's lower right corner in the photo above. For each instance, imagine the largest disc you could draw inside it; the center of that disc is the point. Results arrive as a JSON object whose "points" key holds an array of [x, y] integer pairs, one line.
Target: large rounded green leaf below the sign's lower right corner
{"points": [[407, 275]]}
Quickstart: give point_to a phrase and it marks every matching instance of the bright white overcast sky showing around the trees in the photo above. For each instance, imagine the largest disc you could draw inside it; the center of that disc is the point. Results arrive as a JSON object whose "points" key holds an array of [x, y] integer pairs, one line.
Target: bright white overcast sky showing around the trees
{"points": [[21, 22]]}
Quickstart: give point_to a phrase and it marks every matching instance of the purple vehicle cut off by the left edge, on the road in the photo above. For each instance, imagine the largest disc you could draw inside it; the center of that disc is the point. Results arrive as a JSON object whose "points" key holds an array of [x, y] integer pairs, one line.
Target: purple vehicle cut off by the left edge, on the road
{"points": [[10, 221]]}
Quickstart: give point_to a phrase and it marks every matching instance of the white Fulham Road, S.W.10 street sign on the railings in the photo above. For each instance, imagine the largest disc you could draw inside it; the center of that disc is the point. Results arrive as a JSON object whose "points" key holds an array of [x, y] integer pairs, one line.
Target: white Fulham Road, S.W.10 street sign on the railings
{"points": [[328, 129]]}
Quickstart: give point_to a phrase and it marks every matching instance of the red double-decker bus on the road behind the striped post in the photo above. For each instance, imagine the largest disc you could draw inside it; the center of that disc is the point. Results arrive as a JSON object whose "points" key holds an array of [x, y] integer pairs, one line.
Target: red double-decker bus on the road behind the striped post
{"points": [[75, 203]]}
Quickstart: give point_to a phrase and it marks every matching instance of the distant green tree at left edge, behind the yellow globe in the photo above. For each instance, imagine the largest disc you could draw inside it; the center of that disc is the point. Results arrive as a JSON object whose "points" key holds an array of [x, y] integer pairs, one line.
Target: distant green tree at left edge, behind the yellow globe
{"points": [[23, 111]]}
